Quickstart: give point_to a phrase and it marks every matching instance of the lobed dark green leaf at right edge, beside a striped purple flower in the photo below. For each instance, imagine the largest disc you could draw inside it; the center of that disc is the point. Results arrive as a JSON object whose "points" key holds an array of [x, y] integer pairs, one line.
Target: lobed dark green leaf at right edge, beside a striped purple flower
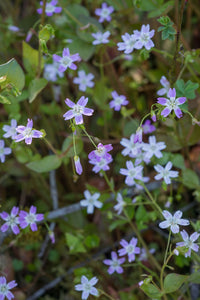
{"points": [[186, 89]]}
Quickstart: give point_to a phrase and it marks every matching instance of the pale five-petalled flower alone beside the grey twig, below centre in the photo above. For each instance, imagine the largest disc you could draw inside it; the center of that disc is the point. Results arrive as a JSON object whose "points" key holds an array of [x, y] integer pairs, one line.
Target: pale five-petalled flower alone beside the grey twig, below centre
{"points": [[91, 201]]}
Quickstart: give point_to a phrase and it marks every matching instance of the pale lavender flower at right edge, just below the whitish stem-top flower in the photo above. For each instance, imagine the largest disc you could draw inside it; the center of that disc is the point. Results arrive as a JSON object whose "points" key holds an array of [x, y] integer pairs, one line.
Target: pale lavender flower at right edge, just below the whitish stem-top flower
{"points": [[188, 242]]}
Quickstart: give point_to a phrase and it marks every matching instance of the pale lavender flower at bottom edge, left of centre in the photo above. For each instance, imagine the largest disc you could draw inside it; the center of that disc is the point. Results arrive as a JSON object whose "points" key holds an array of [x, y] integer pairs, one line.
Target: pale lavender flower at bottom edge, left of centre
{"points": [[87, 287]]}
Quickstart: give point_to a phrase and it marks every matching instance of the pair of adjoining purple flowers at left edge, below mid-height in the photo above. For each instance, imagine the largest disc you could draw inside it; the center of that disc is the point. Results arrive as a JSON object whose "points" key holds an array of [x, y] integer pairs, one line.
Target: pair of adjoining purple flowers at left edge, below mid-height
{"points": [[21, 218]]}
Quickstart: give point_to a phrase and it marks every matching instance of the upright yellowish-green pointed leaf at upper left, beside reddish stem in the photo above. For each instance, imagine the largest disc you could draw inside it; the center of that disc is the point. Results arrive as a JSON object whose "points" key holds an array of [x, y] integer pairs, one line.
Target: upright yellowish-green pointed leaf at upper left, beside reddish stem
{"points": [[30, 59]]}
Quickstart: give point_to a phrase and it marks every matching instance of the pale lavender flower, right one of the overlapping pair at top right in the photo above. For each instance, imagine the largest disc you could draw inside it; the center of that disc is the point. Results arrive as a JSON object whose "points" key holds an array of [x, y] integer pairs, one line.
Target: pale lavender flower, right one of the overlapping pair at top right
{"points": [[144, 37]]}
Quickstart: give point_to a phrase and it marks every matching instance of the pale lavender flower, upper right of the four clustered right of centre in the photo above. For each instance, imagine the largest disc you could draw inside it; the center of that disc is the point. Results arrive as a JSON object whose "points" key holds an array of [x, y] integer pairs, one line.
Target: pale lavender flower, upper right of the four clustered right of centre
{"points": [[153, 148]]}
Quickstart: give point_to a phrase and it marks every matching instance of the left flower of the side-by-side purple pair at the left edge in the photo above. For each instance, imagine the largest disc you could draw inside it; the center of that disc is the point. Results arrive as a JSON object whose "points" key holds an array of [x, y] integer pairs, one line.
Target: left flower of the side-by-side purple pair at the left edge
{"points": [[11, 220]]}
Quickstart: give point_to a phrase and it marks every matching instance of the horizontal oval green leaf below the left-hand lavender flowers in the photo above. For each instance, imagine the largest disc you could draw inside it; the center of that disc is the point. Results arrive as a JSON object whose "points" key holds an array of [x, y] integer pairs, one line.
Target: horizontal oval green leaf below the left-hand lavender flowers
{"points": [[46, 164]]}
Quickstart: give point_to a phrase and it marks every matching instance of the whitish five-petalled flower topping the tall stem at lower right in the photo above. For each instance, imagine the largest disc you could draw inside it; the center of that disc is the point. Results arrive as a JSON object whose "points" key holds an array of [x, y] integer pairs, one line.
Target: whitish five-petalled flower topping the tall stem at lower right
{"points": [[173, 221]]}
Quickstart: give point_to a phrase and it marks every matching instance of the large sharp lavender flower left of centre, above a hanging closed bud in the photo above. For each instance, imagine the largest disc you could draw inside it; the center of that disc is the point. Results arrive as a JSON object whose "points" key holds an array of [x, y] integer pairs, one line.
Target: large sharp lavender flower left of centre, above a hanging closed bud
{"points": [[78, 110]]}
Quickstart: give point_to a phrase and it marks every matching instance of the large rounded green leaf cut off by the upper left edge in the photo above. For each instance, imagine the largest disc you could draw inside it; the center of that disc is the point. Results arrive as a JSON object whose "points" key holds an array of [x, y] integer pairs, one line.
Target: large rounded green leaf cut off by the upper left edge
{"points": [[14, 74]]}
